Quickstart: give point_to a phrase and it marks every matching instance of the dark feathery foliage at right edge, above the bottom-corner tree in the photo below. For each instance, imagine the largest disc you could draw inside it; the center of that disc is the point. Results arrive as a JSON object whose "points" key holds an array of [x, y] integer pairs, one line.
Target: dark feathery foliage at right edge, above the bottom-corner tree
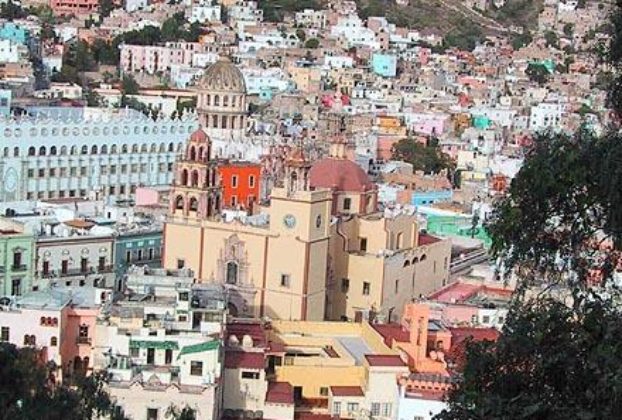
{"points": [[562, 206]]}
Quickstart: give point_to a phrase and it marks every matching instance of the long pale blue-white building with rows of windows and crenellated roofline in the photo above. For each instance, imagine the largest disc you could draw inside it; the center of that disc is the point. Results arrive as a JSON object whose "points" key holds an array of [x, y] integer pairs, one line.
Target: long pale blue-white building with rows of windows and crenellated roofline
{"points": [[75, 152]]}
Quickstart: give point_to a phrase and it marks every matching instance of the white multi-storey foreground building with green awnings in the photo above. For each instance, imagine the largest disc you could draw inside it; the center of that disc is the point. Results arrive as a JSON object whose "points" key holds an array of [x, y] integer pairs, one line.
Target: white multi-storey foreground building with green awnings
{"points": [[161, 346]]}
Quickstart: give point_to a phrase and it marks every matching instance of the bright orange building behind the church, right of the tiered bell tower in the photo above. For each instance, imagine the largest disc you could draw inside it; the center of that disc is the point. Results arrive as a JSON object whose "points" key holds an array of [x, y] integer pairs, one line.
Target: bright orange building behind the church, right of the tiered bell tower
{"points": [[240, 184]]}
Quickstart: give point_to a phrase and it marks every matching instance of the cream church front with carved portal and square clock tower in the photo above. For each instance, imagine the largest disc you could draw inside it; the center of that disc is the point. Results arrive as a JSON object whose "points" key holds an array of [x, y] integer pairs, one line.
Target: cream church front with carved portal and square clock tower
{"points": [[276, 270]]}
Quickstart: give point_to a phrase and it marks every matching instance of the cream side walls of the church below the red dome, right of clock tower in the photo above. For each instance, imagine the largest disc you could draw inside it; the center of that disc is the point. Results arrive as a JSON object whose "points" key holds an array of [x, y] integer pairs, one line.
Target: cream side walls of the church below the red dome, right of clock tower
{"points": [[378, 265]]}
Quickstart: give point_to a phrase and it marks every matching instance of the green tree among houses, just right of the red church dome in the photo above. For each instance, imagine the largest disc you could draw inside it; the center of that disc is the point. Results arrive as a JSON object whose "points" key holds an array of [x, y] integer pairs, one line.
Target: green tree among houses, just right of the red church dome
{"points": [[424, 157]]}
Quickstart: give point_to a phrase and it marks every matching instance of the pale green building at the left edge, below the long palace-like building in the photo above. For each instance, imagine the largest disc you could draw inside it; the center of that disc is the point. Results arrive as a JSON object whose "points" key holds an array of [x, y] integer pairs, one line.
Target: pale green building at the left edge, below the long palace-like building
{"points": [[17, 250]]}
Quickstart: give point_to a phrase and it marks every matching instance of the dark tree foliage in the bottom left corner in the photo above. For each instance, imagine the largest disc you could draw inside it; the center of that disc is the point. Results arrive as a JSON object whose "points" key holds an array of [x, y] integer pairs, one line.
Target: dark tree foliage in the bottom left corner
{"points": [[28, 391]]}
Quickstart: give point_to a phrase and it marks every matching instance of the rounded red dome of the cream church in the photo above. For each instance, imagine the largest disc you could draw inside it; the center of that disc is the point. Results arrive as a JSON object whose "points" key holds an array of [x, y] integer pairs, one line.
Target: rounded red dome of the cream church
{"points": [[339, 175]]}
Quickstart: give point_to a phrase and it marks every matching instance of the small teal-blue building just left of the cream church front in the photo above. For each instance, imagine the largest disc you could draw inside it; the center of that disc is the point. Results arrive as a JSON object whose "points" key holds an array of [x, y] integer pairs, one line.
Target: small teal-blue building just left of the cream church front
{"points": [[137, 248]]}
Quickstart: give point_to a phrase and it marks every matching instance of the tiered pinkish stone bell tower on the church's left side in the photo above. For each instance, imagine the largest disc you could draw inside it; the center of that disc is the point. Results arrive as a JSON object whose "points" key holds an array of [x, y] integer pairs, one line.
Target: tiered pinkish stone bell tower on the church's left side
{"points": [[197, 191]]}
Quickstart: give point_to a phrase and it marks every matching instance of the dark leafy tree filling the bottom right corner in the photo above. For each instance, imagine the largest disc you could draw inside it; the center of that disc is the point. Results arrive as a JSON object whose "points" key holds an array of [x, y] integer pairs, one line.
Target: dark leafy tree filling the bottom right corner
{"points": [[545, 365]]}
